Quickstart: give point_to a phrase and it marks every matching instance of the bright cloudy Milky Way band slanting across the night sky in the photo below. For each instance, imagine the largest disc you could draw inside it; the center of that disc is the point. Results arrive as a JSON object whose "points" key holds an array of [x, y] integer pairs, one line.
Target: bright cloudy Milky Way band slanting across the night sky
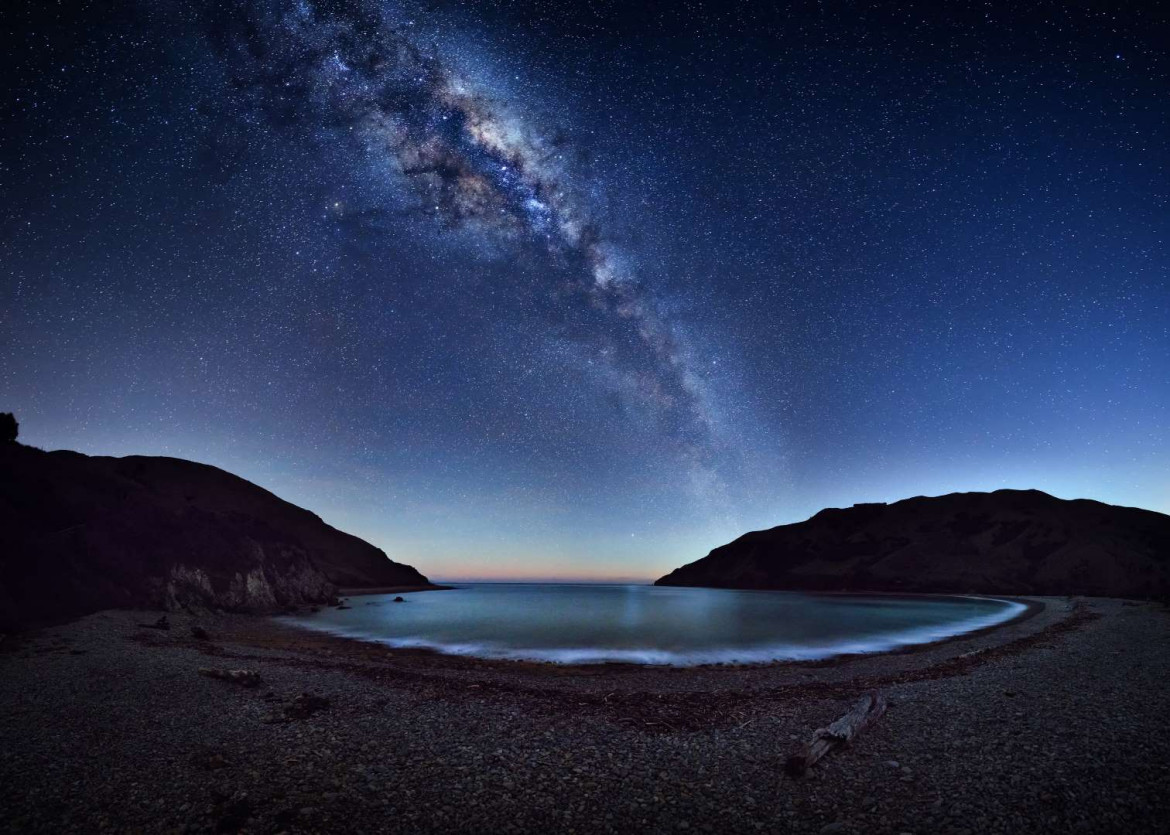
{"points": [[471, 163]]}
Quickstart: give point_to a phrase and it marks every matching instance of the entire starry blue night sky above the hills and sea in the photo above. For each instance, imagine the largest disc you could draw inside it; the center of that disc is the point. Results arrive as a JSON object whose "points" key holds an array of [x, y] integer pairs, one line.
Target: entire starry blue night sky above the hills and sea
{"points": [[521, 289]]}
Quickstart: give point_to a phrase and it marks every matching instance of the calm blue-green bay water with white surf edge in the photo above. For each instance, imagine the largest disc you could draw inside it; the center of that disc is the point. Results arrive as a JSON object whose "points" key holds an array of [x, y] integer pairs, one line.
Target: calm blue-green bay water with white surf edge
{"points": [[593, 624]]}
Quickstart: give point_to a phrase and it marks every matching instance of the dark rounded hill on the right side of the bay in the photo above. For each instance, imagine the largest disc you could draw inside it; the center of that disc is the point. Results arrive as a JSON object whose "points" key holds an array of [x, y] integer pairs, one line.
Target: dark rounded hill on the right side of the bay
{"points": [[1009, 542]]}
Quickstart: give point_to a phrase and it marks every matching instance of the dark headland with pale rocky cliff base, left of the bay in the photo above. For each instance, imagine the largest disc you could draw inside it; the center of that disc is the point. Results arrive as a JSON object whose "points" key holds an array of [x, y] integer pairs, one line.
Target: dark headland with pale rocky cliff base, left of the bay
{"points": [[80, 534]]}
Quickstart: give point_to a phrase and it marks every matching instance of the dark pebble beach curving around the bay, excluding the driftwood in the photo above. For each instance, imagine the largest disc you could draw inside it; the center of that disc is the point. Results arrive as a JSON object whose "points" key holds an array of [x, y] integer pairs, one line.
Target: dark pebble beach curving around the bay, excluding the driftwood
{"points": [[1056, 723]]}
